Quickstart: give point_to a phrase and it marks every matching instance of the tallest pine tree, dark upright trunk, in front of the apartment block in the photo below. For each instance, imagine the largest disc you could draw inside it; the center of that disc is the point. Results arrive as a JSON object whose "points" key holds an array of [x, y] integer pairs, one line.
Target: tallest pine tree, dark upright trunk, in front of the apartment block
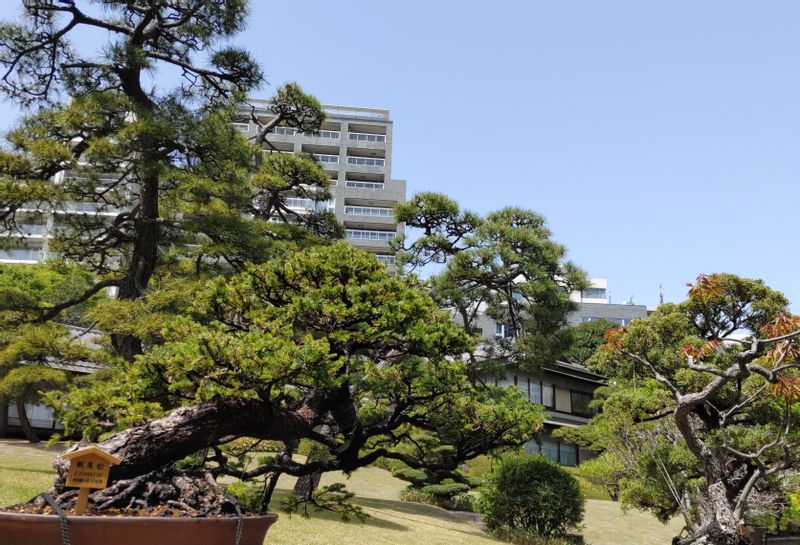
{"points": [[165, 175]]}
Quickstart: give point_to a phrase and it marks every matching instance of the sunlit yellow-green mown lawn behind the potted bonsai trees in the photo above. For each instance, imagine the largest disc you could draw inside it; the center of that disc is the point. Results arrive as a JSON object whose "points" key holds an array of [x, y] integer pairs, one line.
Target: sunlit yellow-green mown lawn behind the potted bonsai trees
{"points": [[26, 470]]}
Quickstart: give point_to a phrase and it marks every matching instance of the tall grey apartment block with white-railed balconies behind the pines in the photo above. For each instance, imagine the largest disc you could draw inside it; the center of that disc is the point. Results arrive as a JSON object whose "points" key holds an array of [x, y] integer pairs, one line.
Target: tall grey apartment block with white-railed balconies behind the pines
{"points": [[354, 146]]}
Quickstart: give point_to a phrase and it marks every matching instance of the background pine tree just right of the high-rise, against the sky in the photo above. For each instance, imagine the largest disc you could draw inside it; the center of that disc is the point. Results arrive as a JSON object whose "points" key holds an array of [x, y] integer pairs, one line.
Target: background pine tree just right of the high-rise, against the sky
{"points": [[505, 263]]}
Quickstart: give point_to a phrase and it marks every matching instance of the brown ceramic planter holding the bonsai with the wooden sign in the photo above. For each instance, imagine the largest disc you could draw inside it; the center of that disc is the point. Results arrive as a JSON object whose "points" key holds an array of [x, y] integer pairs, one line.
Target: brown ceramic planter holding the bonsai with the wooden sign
{"points": [[22, 529]]}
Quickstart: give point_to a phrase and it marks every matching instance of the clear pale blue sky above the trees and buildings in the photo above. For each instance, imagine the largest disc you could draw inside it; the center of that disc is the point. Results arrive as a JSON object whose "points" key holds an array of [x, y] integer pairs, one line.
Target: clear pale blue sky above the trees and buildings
{"points": [[660, 139]]}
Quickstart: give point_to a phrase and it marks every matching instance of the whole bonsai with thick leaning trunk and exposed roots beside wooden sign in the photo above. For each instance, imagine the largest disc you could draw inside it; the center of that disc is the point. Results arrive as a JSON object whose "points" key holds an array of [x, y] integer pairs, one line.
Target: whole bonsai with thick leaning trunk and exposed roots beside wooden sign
{"points": [[324, 337]]}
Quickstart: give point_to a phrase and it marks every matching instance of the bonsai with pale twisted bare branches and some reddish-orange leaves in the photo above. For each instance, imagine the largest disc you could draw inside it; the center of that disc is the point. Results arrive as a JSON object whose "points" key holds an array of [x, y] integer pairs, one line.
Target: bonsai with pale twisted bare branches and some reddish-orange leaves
{"points": [[711, 420]]}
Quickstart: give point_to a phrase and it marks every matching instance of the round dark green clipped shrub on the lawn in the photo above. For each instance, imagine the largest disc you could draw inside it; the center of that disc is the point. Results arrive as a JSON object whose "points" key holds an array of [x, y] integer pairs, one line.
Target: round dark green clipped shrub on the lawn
{"points": [[531, 492]]}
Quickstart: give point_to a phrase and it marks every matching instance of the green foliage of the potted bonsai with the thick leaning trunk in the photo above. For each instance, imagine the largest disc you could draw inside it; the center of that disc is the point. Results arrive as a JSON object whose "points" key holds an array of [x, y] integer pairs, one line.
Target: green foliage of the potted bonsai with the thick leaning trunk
{"points": [[323, 319]]}
